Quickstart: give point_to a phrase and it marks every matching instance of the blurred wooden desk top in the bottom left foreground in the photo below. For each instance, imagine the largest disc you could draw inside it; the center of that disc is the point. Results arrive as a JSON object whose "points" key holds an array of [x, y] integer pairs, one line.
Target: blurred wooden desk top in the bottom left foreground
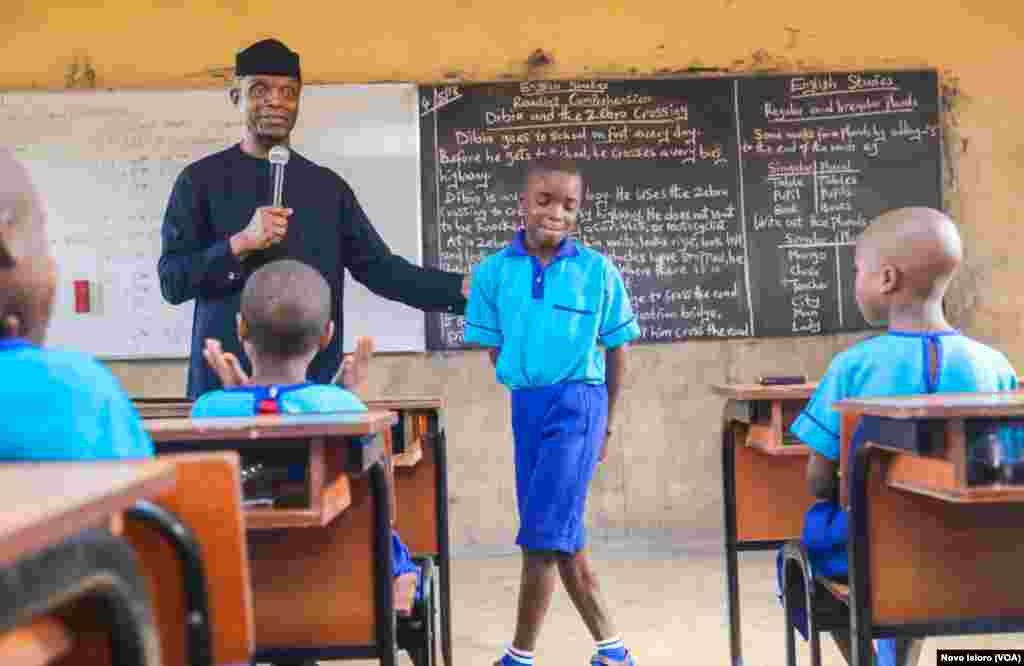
{"points": [[45, 504]]}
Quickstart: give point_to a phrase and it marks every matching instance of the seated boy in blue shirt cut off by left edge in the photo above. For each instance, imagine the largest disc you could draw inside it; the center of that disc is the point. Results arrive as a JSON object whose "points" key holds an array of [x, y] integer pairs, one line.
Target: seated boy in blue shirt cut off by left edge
{"points": [[61, 405]]}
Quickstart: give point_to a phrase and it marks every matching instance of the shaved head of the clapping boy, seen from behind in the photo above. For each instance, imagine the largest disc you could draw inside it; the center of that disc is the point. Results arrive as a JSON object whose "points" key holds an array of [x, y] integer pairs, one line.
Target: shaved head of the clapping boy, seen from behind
{"points": [[286, 306]]}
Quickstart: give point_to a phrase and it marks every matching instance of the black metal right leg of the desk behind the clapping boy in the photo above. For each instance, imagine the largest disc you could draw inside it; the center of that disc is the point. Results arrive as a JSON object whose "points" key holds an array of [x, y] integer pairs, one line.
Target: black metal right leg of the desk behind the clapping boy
{"points": [[387, 632]]}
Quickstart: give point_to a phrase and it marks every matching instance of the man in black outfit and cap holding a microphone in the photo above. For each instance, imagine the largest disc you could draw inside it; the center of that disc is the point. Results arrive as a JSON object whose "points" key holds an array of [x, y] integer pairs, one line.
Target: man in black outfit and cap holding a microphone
{"points": [[219, 227]]}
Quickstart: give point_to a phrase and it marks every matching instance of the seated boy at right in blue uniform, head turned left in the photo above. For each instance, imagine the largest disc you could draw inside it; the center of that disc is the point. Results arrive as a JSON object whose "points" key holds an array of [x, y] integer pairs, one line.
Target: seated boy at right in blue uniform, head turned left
{"points": [[905, 263]]}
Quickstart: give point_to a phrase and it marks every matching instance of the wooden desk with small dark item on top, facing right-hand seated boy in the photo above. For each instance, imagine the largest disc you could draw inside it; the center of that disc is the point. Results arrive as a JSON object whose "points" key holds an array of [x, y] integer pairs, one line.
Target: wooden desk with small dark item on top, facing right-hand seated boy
{"points": [[764, 483]]}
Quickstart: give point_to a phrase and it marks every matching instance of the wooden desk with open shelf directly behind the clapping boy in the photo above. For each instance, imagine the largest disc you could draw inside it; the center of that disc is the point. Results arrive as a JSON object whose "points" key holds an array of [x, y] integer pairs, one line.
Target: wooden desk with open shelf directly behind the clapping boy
{"points": [[313, 581]]}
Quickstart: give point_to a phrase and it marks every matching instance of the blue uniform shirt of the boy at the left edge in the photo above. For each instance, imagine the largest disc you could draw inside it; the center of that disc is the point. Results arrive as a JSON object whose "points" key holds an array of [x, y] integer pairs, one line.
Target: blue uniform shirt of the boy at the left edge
{"points": [[64, 406]]}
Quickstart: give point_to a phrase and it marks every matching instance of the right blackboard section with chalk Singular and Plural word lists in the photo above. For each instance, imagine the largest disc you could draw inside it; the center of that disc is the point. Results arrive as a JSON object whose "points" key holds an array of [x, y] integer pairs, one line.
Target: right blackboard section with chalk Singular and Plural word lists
{"points": [[823, 156]]}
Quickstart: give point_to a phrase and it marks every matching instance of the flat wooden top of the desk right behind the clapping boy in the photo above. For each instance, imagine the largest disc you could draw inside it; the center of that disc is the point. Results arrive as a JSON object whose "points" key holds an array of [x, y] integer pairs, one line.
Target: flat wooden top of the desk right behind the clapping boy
{"points": [[271, 427]]}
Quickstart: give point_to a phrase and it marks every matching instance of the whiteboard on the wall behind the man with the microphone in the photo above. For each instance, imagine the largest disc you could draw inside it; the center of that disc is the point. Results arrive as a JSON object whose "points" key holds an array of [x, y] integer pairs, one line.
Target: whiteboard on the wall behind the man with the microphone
{"points": [[105, 163]]}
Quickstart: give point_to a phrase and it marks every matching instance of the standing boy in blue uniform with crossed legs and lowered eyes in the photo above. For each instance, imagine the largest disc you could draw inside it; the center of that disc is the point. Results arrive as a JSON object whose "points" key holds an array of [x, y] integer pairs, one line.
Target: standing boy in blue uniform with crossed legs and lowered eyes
{"points": [[546, 306]]}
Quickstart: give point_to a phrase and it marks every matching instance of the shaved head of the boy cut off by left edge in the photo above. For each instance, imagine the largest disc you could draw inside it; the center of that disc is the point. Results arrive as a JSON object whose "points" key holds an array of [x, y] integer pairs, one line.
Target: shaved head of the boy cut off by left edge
{"points": [[28, 275]]}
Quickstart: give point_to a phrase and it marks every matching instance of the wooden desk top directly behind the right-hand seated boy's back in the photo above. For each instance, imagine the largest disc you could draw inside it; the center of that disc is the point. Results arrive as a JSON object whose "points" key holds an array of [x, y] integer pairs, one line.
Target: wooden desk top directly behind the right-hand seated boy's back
{"points": [[1001, 405]]}
